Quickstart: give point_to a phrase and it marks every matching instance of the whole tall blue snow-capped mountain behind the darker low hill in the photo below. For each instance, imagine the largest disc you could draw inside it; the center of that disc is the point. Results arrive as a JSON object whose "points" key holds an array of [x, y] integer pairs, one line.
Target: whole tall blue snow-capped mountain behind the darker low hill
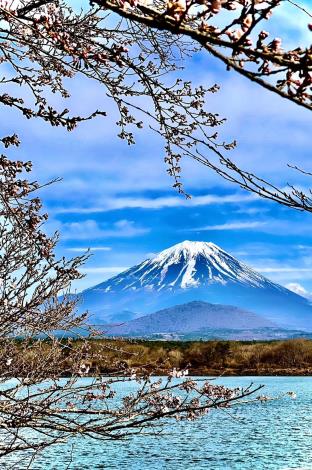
{"points": [[194, 271]]}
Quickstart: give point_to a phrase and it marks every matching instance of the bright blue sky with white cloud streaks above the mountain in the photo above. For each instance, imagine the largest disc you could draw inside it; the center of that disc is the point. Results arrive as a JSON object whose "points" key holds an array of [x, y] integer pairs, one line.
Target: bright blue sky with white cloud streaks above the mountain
{"points": [[117, 200]]}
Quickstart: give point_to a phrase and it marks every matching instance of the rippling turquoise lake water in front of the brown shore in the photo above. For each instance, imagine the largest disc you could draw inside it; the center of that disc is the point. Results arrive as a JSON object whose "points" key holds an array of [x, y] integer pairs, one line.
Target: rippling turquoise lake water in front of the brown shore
{"points": [[275, 435]]}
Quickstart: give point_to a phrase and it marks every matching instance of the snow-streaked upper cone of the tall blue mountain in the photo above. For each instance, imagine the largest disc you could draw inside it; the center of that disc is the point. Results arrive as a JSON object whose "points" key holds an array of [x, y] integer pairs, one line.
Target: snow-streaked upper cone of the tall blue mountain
{"points": [[185, 265]]}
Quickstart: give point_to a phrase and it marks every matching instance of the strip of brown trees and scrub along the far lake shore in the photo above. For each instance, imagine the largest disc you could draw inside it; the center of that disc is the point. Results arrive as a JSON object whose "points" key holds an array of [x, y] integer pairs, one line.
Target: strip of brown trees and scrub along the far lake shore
{"points": [[202, 358]]}
